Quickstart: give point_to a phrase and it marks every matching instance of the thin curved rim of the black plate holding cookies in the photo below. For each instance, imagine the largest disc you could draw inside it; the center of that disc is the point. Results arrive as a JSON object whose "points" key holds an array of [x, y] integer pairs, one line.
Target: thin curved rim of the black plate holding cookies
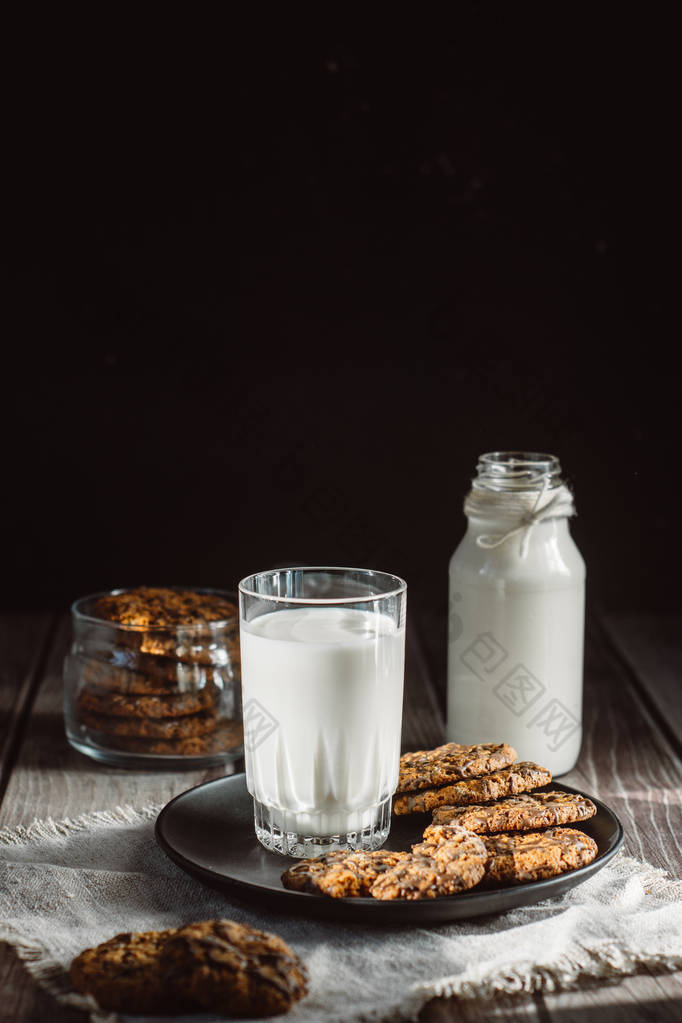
{"points": [[362, 904]]}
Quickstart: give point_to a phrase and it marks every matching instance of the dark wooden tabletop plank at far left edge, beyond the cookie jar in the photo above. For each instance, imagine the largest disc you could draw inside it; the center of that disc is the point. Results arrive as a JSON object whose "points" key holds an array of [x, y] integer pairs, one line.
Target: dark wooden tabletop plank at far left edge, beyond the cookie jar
{"points": [[23, 642]]}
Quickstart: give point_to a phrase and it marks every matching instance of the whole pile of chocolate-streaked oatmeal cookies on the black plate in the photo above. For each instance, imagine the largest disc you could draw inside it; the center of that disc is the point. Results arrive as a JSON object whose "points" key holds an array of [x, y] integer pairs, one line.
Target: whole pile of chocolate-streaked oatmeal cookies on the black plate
{"points": [[490, 827]]}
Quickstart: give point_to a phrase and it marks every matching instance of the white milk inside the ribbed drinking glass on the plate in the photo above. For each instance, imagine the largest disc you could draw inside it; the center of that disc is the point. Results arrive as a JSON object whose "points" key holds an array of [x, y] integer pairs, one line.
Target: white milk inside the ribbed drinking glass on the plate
{"points": [[324, 695]]}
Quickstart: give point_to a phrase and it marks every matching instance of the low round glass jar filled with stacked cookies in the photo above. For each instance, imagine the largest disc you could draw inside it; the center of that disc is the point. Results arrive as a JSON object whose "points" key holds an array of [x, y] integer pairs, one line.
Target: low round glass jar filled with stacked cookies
{"points": [[140, 694]]}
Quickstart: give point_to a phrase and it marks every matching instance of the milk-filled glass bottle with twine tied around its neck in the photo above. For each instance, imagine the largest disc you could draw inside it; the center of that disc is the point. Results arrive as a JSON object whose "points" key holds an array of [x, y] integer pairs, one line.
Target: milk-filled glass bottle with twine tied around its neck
{"points": [[517, 614]]}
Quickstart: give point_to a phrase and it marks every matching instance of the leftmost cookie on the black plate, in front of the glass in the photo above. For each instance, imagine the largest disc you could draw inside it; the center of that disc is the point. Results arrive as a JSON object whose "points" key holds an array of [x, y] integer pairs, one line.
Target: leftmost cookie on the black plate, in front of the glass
{"points": [[341, 874]]}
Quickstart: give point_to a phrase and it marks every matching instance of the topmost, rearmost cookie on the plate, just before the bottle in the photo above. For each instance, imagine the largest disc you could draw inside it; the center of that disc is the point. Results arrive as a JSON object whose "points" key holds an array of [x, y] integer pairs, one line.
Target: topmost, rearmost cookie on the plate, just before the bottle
{"points": [[429, 769]]}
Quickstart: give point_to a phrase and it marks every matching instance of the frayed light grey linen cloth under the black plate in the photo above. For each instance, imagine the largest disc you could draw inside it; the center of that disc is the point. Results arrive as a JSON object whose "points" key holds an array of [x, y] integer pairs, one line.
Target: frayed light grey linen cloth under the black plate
{"points": [[69, 885]]}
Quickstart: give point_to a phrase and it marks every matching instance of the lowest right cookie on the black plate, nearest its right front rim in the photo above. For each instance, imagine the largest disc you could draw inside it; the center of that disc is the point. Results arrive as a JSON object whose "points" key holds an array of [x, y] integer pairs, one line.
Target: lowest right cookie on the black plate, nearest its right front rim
{"points": [[527, 857]]}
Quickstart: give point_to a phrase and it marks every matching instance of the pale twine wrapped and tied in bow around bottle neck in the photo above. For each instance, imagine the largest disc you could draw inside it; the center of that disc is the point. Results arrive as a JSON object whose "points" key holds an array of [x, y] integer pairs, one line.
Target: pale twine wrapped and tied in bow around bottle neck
{"points": [[527, 510]]}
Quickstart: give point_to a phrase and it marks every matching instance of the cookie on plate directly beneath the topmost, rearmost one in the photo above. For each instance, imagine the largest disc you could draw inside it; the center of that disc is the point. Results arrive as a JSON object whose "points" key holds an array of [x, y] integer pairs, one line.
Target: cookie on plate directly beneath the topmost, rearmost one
{"points": [[508, 782]]}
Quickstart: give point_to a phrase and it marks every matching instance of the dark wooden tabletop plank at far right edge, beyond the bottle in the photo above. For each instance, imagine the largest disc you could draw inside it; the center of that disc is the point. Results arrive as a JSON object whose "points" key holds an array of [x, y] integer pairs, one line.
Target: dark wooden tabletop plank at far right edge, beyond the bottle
{"points": [[651, 645]]}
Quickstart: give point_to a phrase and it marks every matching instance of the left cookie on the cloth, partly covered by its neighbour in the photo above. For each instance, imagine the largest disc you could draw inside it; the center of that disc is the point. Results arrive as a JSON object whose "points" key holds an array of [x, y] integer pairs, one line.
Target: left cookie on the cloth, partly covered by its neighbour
{"points": [[125, 974]]}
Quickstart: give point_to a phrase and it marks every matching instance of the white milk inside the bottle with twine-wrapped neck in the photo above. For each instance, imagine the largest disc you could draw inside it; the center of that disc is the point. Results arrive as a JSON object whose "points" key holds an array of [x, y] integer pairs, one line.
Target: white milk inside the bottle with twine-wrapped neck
{"points": [[516, 651]]}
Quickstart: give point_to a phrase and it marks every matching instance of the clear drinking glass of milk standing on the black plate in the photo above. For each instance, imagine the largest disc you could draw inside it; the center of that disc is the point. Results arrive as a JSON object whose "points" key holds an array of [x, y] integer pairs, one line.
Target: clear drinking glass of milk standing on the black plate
{"points": [[323, 668]]}
